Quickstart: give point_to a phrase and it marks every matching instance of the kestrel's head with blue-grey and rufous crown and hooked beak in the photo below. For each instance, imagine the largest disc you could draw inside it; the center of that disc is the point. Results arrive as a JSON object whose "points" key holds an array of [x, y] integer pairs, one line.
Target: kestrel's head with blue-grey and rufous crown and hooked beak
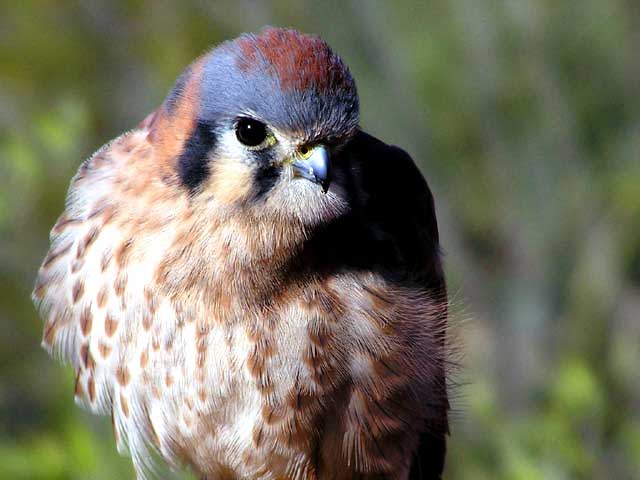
{"points": [[256, 124]]}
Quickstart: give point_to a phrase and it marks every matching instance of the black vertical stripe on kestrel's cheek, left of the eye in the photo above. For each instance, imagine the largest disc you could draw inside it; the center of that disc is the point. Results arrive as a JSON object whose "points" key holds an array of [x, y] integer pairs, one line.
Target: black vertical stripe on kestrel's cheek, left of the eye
{"points": [[193, 164]]}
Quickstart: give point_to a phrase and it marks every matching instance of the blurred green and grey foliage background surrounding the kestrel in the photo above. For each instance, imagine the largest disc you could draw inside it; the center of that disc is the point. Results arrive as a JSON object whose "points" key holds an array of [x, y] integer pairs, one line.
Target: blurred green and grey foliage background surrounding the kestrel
{"points": [[525, 118]]}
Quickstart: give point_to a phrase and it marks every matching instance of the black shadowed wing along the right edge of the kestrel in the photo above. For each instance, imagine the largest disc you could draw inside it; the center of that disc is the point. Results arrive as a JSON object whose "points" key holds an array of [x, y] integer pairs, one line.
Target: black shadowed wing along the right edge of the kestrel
{"points": [[398, 205]]}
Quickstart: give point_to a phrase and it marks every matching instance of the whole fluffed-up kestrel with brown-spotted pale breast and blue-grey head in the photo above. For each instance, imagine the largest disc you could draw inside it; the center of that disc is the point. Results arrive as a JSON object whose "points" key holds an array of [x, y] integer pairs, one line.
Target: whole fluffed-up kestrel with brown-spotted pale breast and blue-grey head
{"points": [[251, 285]]}
